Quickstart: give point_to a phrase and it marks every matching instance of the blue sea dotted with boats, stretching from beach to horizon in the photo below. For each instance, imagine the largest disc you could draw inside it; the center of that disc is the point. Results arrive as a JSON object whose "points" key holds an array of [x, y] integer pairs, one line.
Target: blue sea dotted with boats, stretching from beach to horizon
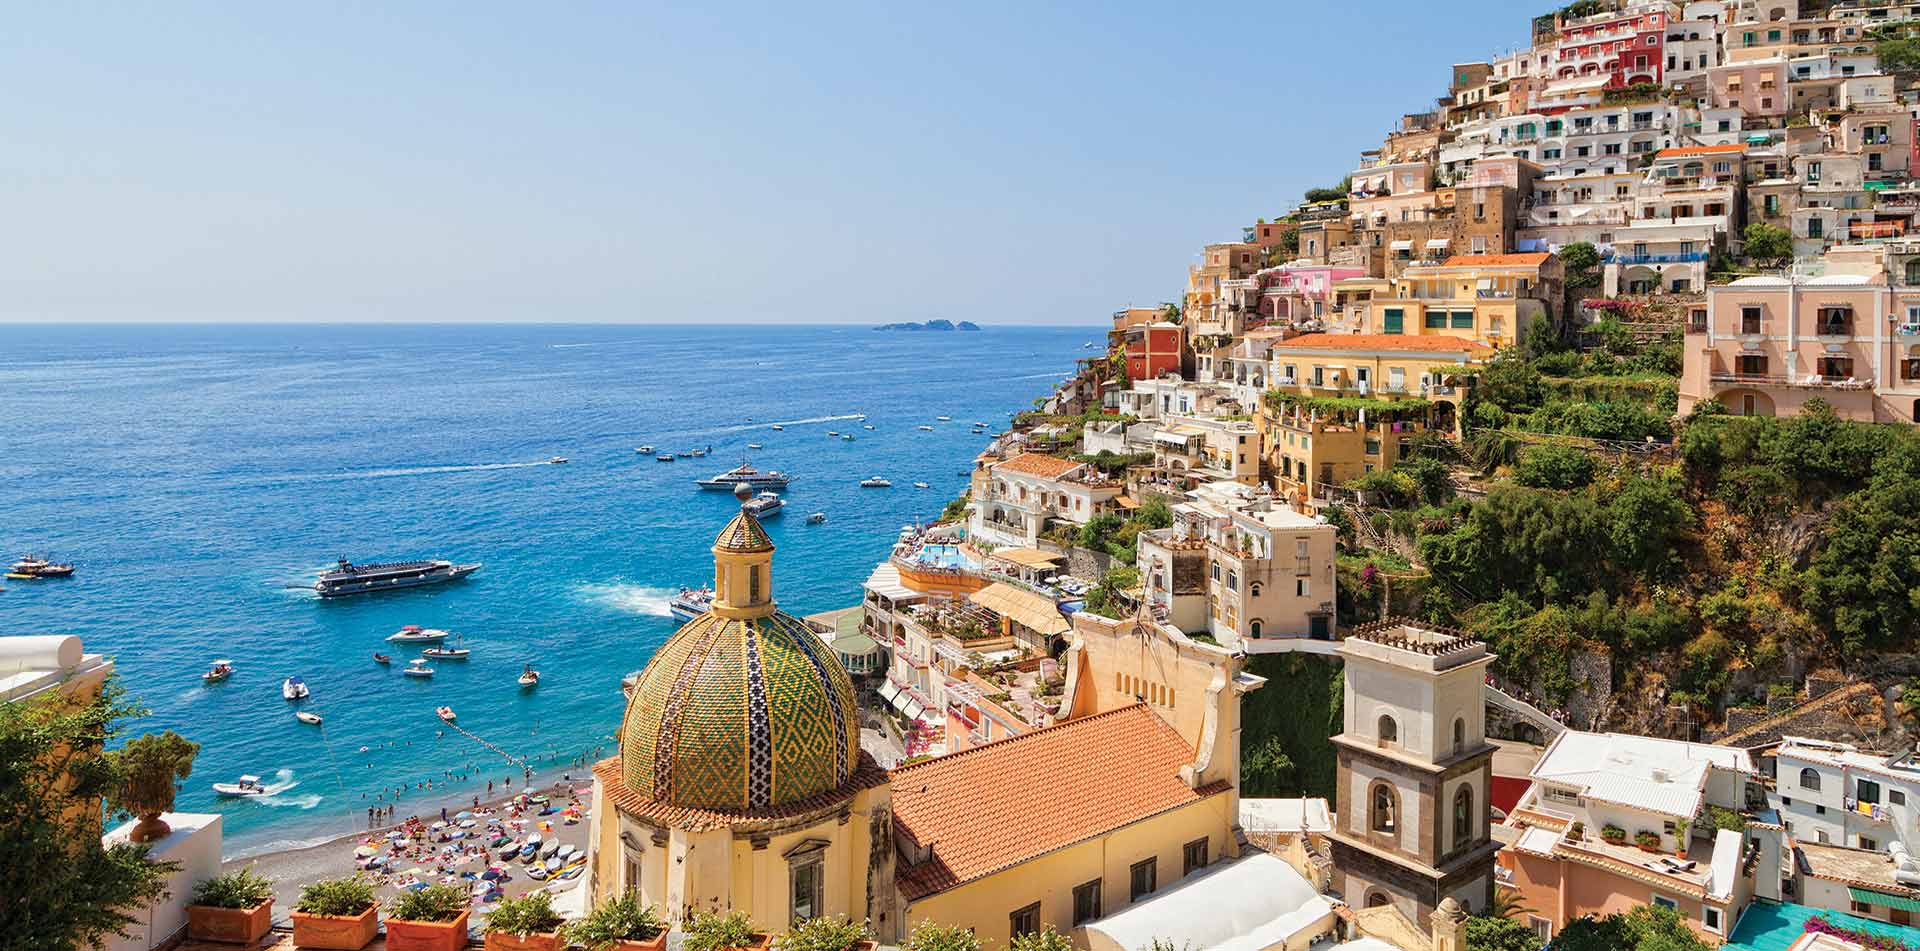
{"points": [[197, 475]]}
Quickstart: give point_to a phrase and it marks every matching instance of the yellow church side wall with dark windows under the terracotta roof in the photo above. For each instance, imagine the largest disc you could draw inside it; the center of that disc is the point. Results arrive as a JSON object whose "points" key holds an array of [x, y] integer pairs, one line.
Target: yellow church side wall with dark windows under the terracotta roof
{"points": [[986, 904]]}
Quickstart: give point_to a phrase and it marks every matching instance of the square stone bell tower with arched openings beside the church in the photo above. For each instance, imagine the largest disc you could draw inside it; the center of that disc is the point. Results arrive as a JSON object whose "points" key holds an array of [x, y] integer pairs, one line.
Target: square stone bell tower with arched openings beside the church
{"points": [[1414, 773]]}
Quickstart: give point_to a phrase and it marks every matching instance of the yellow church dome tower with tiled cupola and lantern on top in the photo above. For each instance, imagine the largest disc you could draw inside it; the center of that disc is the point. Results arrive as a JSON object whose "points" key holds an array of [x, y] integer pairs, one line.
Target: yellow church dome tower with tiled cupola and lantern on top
{"points": [[740, 781]]}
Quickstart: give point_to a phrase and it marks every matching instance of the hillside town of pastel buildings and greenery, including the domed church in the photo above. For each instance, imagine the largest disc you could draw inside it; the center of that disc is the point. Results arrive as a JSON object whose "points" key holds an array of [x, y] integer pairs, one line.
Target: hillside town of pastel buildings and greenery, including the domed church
{"points": [[1510, 545]]}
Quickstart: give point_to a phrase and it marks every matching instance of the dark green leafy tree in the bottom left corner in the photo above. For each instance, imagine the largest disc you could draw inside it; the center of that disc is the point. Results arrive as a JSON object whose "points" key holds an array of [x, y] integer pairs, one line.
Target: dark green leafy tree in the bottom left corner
{"points": [[64, 890]]}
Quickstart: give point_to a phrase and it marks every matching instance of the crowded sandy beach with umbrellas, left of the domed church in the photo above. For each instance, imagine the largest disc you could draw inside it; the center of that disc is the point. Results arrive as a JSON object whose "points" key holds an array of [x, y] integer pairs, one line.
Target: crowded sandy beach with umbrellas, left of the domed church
{"points": [[412, 850]]}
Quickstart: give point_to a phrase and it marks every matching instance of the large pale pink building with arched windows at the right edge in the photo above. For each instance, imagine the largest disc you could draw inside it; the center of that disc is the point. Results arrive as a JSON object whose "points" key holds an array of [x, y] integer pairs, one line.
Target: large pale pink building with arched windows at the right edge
{"points": [[1850, 337]]}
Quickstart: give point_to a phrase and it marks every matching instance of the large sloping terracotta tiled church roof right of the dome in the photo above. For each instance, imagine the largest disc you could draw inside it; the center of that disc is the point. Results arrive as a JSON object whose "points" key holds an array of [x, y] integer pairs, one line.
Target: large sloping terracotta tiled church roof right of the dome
{"points": [[1001, 804]]}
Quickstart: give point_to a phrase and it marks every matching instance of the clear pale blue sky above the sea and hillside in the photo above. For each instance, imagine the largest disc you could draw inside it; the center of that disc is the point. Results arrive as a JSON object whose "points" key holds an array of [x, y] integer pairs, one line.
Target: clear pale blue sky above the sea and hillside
{"points": [[704, 162]]}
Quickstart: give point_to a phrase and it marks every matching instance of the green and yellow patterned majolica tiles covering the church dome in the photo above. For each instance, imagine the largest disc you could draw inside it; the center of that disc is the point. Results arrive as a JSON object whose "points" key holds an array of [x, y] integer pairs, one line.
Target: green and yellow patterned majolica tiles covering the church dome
{"points": [[740, 716]]}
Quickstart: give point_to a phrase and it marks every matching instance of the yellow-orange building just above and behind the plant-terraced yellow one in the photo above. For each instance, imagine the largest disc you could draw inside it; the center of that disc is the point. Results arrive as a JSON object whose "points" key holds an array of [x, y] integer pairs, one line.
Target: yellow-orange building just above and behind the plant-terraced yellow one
{"points": [[1474, 297]]}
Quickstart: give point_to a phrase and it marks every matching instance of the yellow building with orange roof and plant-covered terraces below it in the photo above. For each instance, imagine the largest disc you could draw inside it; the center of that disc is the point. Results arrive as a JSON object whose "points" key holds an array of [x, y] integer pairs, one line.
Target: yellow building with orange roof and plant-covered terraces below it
{"points": [[1347, 404]]}
